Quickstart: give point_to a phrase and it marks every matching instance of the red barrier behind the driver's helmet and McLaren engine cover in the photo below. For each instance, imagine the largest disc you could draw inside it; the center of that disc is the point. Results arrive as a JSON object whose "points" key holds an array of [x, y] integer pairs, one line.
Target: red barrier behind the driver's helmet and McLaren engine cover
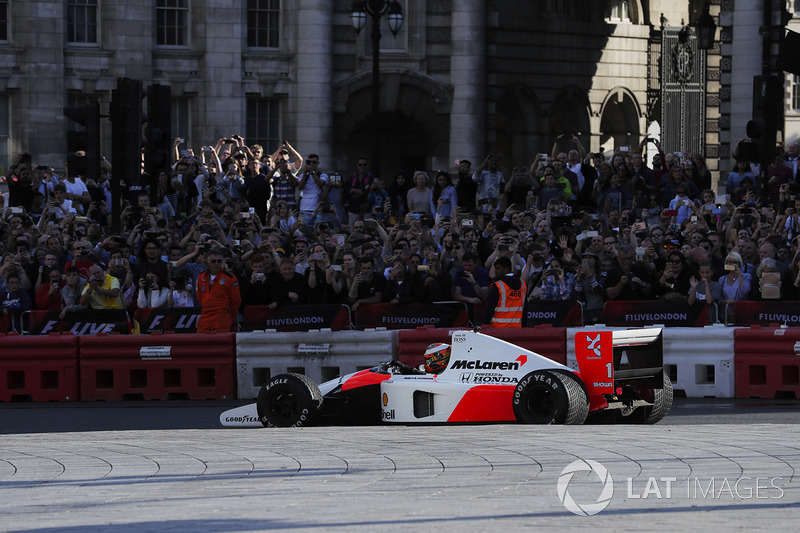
{"points": [[545, 340]]}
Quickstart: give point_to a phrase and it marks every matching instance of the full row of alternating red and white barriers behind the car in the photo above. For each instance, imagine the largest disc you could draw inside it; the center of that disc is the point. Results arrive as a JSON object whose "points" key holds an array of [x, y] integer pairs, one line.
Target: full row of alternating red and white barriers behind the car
{"points": [[712, 361]]}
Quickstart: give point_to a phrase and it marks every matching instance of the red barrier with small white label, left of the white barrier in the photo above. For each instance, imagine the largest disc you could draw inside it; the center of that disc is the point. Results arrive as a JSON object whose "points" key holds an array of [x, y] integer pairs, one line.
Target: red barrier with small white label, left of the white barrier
{"points": [[158, 366]]}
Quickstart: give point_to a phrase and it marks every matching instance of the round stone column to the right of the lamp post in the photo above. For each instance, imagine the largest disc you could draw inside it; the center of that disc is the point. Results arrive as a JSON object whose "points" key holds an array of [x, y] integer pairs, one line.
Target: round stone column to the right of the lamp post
{"points": [[468, 76]]}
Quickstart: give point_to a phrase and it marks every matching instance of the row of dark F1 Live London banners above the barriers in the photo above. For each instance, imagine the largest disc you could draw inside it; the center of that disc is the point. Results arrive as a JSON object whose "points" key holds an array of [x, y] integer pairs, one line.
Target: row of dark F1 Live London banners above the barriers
{"points": [[447, 314]]}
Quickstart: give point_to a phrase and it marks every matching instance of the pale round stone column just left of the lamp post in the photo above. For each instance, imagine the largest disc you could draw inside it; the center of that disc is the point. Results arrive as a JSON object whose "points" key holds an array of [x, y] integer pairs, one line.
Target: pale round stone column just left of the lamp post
{"points": [[314, 87]]}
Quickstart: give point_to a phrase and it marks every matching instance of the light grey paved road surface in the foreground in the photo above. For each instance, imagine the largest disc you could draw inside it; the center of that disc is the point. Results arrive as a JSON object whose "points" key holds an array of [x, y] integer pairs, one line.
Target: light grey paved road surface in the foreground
{"points": [[389, 478]]}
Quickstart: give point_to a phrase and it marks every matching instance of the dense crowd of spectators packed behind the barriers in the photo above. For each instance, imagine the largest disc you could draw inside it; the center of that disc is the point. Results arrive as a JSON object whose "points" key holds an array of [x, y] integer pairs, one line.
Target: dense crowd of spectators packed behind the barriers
{"points": [[575, 226]]}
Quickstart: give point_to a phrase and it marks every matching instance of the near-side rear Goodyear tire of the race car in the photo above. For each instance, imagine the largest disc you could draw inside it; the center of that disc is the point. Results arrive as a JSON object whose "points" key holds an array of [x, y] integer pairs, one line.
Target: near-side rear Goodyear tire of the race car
{"points": [[548, 397]]}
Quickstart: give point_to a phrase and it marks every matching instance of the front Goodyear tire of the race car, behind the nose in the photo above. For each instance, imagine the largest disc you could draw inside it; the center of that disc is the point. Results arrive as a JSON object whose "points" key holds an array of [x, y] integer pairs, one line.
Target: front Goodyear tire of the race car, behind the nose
{"points": [[289, 400]]}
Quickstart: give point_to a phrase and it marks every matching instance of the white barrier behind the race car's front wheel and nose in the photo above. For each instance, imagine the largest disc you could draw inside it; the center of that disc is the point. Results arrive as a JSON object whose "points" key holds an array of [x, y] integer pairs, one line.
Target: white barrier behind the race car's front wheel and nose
{"points": [[320, 354]]}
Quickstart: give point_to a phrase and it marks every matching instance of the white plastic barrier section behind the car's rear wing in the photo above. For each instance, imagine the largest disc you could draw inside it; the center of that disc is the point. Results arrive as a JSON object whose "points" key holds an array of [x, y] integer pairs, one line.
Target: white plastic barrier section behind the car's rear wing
{"points": [[699, 361]]}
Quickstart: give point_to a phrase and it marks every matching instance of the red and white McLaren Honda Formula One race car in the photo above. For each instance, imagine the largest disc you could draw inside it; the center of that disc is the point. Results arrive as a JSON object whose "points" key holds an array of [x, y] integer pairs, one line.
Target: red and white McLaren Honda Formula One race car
{"points": [[481, 379]]}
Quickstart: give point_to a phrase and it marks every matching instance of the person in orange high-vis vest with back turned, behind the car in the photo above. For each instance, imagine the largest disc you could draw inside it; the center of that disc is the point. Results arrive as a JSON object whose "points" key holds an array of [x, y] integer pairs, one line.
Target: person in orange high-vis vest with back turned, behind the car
{"points": [[506, 297]]}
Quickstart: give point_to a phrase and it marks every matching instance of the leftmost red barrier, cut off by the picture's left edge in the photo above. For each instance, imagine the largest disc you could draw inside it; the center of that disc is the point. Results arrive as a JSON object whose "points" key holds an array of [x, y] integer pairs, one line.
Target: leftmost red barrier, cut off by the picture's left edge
{"points": [[40, 369]]}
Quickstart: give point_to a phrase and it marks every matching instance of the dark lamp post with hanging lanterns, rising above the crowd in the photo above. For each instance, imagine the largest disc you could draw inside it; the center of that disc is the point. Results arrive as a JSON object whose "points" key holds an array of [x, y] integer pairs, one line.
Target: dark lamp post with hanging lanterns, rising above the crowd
{"points": [[376, 9]]}
